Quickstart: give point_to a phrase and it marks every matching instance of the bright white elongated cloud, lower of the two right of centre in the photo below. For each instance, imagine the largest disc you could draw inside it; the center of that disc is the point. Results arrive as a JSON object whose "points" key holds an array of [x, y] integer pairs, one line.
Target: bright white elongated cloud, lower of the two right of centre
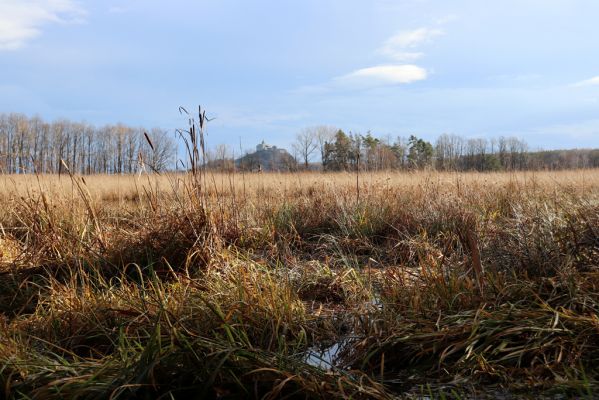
{"points": [[382, 75]]}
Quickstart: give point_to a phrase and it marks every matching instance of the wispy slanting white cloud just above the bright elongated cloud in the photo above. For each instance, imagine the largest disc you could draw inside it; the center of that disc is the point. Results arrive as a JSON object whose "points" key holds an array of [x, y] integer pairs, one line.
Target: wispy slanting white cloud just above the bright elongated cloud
{"points": [[400, 46]]}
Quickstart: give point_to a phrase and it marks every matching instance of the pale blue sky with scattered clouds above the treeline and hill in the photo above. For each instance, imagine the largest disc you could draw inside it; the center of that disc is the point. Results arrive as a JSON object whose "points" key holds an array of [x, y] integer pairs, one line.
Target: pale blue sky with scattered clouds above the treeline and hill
{"points": [[265, 69]]}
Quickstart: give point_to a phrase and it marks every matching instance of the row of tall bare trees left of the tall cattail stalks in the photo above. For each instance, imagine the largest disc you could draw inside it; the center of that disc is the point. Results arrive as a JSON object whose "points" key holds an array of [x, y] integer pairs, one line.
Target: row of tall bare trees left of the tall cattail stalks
{"points": [[33, 145]]}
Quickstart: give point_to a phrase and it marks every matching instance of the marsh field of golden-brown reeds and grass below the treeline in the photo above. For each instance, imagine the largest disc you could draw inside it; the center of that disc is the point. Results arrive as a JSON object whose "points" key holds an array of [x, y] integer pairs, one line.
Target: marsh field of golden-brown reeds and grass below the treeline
{"points": [[386, 285]]}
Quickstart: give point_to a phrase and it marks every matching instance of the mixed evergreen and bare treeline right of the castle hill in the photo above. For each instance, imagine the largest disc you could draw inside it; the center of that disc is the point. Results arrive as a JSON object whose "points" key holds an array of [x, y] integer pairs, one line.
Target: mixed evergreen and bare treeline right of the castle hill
{"points": [[341, 151]]}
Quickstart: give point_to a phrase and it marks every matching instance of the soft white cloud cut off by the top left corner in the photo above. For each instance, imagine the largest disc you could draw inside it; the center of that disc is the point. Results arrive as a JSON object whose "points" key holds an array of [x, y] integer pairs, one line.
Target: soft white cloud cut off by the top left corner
{"points": [[22, 20]]}
